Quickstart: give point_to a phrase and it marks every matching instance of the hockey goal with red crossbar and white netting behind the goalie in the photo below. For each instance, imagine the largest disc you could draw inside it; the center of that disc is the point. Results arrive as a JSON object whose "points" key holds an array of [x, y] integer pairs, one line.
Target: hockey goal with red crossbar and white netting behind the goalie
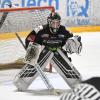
{"points": [[17, 20]]}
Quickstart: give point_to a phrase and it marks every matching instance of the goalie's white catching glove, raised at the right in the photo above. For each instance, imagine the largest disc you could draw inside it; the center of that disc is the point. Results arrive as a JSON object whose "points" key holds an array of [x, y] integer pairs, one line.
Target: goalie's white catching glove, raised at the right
{"points": [[74, 45]]}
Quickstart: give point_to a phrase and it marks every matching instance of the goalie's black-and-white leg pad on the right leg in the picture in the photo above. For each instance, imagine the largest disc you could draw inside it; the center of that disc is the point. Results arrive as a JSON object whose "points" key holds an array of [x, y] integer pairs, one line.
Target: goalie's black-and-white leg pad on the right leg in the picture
{"points": [[65, 68]]}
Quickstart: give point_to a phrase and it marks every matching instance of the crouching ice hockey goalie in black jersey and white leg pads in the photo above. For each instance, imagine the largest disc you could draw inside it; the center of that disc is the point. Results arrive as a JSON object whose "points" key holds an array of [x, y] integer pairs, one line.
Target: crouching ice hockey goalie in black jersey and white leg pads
{"points": [[53, 37]]}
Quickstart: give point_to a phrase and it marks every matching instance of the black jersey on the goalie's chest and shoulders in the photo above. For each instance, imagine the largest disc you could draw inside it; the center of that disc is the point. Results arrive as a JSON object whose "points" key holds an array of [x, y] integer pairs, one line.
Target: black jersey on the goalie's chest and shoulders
{"points": [[48, 39]]}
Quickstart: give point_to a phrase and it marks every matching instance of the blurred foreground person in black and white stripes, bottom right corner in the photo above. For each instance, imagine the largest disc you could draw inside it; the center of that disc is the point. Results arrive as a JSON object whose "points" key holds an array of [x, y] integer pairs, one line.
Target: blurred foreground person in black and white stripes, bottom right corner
{"points": [[88, 90]]}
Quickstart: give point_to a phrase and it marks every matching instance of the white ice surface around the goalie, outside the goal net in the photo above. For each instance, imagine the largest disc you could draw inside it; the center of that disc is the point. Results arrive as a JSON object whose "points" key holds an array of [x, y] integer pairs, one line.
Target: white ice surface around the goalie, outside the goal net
{"points": [[87, 63]]}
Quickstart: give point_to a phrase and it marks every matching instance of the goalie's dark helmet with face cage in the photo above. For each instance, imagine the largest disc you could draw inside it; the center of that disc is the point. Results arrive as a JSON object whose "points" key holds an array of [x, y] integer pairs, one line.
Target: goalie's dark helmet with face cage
{"points": [[54, 22]]}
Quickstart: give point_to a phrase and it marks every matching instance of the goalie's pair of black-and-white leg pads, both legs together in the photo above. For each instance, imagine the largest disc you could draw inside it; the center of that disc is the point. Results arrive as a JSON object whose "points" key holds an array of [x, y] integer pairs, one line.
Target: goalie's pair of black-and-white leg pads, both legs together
{"points": [[58, 59]]}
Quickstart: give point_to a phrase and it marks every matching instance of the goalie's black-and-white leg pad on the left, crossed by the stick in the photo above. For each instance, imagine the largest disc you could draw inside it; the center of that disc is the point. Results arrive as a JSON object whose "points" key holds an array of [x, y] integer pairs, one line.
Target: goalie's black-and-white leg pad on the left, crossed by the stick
{"points": [[29, 73]]}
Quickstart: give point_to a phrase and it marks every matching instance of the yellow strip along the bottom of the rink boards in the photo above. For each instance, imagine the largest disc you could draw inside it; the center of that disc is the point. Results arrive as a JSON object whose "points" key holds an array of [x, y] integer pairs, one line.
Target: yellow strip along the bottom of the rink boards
{"points": [[75, 30]]}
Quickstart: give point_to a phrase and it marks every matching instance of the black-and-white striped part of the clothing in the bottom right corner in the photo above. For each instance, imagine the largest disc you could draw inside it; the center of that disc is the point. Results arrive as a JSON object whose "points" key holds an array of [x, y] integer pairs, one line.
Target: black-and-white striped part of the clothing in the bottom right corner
{"points": [[82, 91]]}
